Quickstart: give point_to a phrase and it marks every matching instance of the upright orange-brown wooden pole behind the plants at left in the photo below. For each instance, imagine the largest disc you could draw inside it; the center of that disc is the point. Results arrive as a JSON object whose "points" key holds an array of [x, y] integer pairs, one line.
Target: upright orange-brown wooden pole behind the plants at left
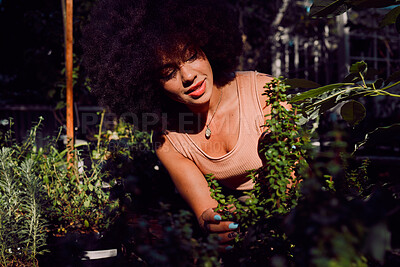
{"points": [[69, 81]]}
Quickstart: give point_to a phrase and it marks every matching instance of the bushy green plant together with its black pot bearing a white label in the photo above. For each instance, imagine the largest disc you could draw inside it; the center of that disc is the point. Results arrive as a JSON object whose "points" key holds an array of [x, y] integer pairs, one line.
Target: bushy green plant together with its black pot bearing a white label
{"points": [[81, 206]]}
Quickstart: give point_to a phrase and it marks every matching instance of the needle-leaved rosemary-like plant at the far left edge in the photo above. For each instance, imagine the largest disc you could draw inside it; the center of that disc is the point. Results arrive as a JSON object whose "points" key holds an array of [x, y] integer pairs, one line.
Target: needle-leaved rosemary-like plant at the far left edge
{"points": [[23, 225]]}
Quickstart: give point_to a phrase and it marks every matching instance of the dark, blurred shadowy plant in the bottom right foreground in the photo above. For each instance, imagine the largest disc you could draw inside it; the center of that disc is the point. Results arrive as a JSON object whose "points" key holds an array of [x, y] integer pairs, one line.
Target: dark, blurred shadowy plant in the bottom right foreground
{"points": [[333, 224]]}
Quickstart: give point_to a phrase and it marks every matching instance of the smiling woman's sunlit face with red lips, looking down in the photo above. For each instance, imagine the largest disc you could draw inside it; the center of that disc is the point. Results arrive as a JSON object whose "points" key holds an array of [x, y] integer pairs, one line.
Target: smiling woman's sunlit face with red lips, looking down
{"points": [[188, 80]]}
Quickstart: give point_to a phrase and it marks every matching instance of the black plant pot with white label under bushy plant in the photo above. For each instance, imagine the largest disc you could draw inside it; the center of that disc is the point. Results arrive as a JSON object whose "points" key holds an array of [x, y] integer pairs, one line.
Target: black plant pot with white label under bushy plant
{"points": [[81, 250]]}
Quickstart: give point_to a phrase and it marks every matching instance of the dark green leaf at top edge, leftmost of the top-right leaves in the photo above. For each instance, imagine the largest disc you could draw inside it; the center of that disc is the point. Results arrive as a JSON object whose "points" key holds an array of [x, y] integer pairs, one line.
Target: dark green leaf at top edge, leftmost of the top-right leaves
{"points": [[328, 8]]}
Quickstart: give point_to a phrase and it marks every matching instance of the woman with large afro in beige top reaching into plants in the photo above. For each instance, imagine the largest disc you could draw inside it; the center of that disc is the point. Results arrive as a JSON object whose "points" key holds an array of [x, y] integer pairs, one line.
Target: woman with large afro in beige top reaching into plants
{"points": [[174, 62]]}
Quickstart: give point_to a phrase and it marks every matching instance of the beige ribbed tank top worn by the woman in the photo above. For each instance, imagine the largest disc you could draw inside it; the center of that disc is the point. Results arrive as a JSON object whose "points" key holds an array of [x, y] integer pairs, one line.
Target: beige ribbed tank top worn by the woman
{"points": [[231, 169]]}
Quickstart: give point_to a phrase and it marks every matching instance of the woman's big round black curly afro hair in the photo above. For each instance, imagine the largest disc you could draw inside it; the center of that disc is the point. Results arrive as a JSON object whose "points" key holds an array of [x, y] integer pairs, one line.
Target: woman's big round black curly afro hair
{"points": [[123, 40]]}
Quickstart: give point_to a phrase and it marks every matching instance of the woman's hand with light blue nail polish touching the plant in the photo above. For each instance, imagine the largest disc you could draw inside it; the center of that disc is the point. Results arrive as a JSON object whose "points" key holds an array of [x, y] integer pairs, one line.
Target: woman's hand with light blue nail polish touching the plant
{"points": [[211, 222]]}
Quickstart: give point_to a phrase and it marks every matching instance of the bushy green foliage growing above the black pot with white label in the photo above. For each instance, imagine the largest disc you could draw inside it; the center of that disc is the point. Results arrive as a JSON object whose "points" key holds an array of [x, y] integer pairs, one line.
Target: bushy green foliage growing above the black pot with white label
{"points": [[79, 198]]}
